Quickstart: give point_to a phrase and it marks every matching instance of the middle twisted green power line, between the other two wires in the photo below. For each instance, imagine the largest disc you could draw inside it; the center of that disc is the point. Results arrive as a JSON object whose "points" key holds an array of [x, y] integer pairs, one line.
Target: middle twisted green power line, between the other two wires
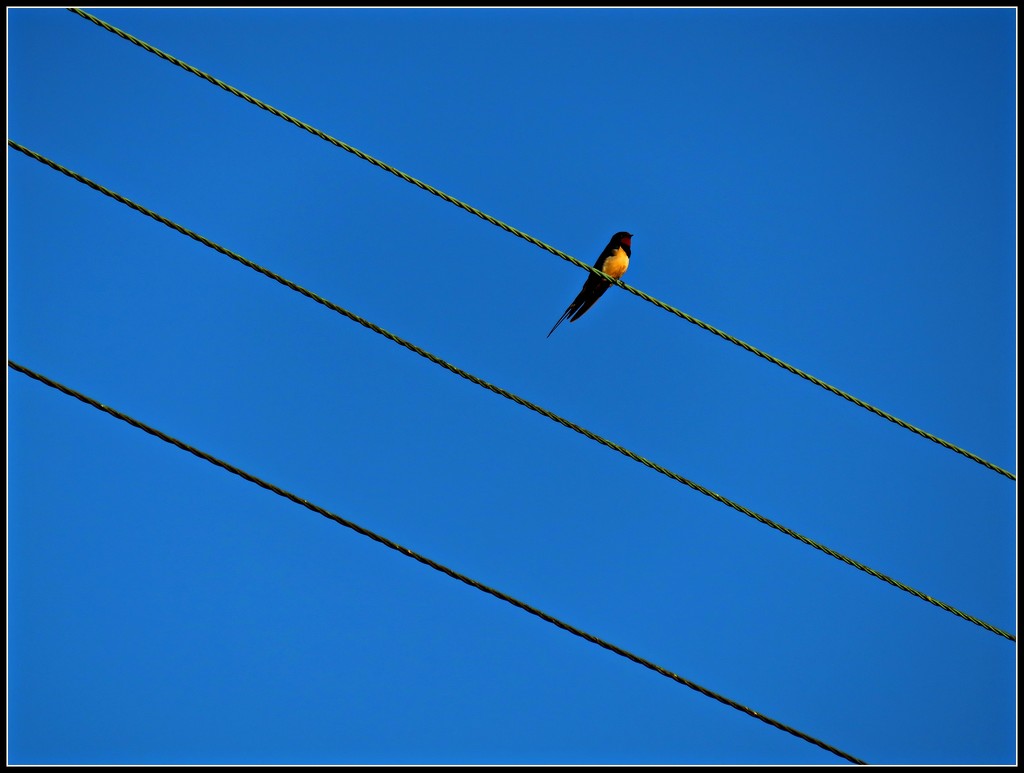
{"points": [[505, 394]]}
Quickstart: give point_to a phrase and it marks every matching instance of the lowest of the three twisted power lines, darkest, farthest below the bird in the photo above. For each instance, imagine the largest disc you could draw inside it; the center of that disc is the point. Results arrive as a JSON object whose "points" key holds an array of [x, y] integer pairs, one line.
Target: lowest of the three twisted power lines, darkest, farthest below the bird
{"points": [[430, 563]]}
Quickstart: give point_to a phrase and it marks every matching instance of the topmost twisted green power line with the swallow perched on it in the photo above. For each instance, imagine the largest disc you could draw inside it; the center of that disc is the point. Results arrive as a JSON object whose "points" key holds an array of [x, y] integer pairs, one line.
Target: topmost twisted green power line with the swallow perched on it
{"points": [[516, 232]]}
